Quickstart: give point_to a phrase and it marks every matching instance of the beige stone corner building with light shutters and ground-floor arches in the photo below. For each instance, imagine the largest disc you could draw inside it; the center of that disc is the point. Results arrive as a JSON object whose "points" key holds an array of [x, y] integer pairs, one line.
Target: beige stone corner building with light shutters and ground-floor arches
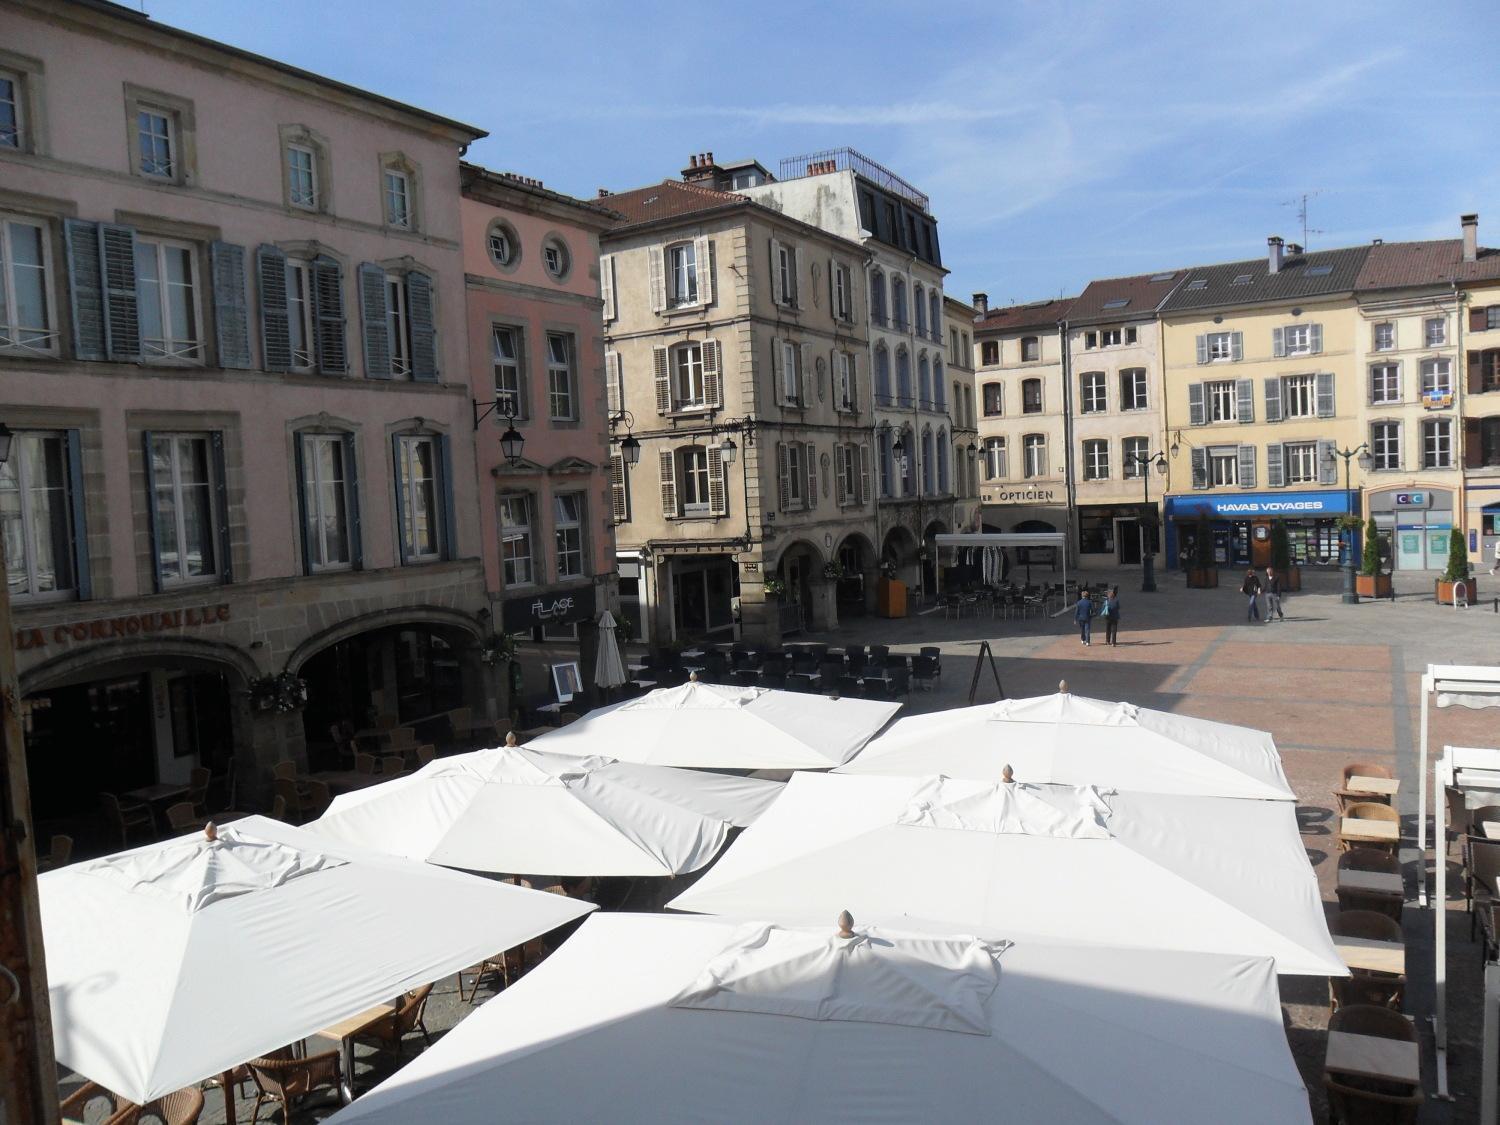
{"points": [[737, 343]]}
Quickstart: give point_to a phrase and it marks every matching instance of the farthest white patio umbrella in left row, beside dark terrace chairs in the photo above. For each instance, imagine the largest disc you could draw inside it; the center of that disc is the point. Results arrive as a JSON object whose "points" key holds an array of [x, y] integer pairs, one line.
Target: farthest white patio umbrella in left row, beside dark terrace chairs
{"points": [[718, 727]]}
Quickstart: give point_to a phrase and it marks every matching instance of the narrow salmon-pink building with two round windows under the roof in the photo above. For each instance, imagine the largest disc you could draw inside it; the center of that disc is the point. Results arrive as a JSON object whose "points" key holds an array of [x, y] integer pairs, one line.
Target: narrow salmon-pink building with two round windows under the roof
{"points": [[538, 370]]}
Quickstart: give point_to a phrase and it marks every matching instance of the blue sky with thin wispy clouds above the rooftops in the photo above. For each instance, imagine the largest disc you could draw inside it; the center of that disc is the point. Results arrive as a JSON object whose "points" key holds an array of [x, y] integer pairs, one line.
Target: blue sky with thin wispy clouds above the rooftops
{"points": [[1058, 142]]}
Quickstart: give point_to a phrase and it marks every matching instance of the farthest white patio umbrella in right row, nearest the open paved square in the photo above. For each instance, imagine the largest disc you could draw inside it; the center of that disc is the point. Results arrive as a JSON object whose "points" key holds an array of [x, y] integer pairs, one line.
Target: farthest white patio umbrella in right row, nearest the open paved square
{"points": [[1075, 740]]}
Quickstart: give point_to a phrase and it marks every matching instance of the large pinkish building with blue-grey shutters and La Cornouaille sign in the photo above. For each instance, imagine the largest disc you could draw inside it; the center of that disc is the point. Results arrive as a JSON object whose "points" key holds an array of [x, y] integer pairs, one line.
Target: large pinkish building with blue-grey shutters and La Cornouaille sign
{"points": [[233, 355]]}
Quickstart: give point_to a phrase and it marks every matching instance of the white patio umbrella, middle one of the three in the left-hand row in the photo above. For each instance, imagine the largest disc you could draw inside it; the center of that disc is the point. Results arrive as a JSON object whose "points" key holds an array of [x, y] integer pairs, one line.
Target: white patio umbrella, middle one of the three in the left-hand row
{"points": [[524, 811]]}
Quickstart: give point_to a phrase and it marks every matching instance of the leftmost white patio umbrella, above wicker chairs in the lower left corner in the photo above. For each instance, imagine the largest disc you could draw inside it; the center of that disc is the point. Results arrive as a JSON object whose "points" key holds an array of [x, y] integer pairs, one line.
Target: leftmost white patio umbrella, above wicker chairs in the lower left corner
{"points": [[179, 961]]}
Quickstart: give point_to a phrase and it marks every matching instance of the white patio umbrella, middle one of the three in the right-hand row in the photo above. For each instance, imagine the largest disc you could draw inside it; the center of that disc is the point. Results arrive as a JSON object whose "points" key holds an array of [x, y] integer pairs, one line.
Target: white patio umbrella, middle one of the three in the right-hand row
{"points": [[1147, 871]]}
